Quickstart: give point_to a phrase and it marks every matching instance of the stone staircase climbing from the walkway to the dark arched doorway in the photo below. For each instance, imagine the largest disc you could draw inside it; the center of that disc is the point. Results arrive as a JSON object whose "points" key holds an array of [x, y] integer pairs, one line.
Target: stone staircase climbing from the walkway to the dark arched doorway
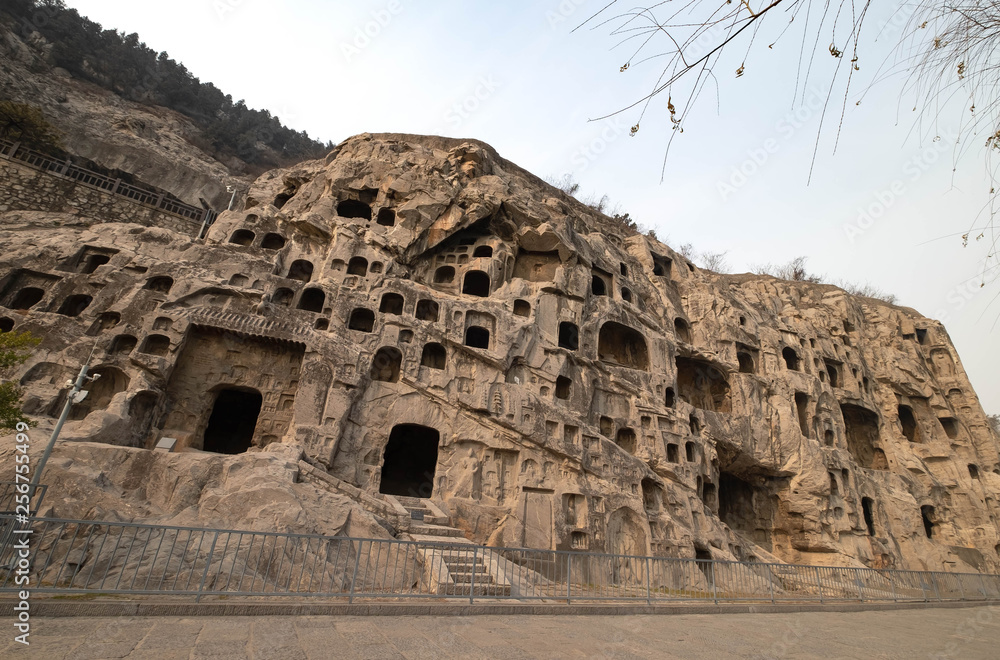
{"points": [[460, 568]]}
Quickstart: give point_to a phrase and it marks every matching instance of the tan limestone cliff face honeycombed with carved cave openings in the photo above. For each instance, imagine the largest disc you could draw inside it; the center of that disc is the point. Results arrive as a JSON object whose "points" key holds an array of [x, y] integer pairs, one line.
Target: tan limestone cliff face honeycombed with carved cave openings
{"points": [[425, 318]]}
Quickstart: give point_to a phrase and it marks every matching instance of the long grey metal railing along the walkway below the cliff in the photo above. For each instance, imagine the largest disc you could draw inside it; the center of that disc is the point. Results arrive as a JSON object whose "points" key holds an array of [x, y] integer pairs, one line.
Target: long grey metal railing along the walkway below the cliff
{"points": [[76, 556]]}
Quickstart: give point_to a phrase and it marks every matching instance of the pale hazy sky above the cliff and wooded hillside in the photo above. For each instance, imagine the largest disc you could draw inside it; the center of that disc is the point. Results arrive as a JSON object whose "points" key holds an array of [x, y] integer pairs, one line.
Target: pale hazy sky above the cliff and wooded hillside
{"points": [[512, 74]]}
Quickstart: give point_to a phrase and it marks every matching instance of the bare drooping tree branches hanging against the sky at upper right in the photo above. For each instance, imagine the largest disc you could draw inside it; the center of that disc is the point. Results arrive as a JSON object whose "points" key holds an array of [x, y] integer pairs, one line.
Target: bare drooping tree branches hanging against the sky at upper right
{"points": [[947, 53]]}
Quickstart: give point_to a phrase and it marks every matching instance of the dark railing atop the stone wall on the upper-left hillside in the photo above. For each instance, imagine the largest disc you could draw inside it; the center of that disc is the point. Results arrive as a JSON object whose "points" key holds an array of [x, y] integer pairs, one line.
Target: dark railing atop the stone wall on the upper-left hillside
{"points": [[158, 200]]}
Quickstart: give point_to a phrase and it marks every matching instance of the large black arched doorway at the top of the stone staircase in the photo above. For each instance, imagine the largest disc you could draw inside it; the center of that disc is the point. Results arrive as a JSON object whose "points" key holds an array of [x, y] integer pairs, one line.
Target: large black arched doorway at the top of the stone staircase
{"points": [[409, 461]]}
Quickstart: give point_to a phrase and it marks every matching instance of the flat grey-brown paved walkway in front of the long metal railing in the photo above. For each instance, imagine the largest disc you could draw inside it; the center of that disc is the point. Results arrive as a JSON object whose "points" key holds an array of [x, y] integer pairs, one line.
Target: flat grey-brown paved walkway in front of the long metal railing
{"points": [[912, 634]]}
